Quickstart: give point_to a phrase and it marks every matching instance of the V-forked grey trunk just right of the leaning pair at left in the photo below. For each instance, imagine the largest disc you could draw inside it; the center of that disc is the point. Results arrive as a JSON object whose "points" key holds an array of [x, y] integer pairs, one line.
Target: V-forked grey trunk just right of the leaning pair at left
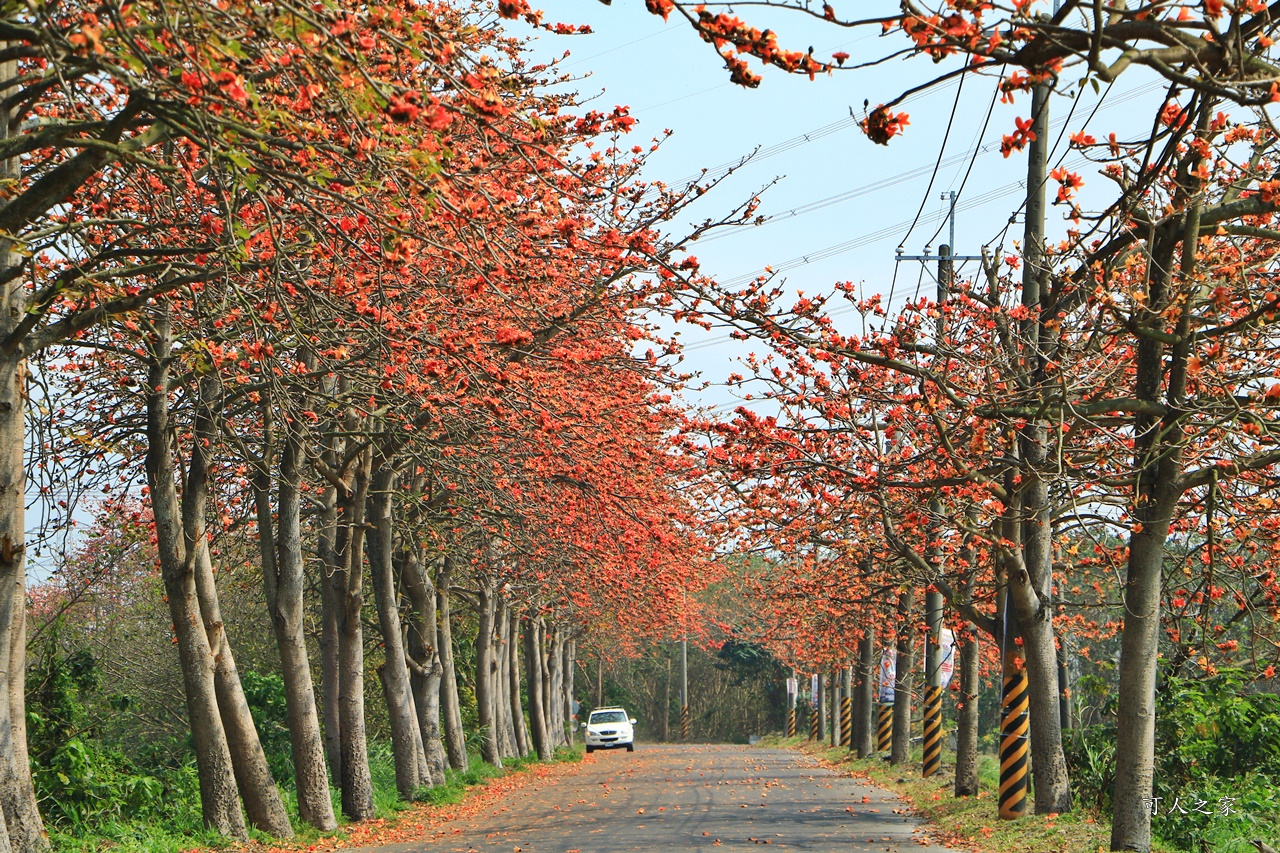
{"points": [[284, 585]]}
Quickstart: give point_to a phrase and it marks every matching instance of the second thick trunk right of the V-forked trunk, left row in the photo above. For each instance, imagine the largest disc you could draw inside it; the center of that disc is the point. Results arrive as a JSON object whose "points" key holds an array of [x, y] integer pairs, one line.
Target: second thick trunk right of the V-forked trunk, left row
{"points": [[412, 772]]}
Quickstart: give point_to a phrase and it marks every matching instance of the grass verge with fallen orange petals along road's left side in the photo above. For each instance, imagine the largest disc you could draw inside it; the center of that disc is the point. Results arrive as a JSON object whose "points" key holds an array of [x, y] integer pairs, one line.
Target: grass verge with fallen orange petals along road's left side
{"points": [[181, 829]]}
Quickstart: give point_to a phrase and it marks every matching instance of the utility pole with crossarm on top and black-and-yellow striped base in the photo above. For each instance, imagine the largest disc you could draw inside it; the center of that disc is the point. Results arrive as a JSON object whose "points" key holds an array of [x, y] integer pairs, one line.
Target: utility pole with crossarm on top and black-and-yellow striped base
{"points": [[934, 604]]}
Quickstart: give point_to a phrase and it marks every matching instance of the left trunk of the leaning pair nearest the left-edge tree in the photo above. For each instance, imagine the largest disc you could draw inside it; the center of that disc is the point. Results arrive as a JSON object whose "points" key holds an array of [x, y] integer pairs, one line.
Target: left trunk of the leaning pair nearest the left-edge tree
{"points": [[220, 797]]}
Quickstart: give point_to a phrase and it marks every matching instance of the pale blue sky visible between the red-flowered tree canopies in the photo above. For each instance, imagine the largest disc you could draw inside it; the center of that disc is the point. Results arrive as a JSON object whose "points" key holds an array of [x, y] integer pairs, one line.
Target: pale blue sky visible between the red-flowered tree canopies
{"points": [[843, 204]]}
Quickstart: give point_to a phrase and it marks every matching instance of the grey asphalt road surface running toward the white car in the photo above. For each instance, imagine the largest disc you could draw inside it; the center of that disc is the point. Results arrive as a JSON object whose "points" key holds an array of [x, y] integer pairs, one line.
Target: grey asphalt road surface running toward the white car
{"points": [[688, 799]]}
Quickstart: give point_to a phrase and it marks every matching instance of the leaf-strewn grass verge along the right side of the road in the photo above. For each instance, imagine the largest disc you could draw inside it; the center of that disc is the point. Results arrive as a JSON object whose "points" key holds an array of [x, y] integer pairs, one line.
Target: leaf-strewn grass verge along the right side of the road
{"points": [[972, 823]]}
